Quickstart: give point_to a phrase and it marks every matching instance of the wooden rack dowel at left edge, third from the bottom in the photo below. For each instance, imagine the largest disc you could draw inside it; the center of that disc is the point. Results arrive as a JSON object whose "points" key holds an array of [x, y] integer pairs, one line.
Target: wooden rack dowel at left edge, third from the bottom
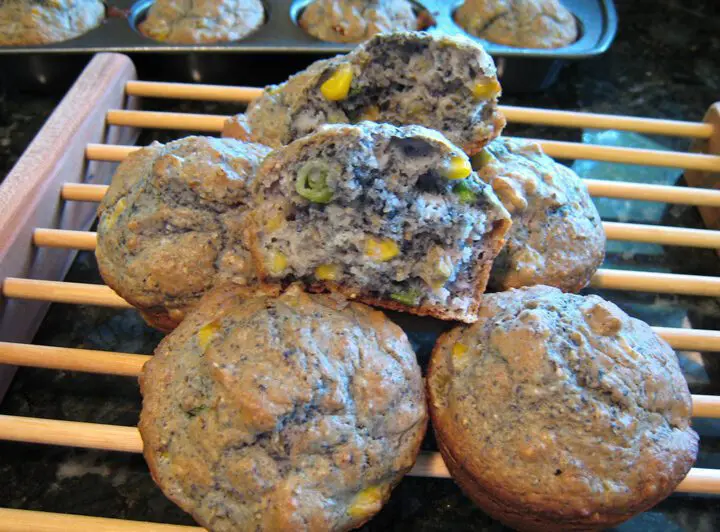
{"points": [[69, 359]]}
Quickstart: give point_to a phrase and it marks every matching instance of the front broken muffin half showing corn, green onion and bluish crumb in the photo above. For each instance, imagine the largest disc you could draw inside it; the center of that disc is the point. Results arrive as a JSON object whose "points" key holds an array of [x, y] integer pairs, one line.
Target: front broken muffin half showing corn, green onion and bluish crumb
{"points": [[391, 215]]}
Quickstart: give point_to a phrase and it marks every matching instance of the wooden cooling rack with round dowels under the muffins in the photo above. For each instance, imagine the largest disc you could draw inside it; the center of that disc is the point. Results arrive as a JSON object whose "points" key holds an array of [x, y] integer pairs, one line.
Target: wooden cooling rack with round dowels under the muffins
{"points": [[49, 200]]}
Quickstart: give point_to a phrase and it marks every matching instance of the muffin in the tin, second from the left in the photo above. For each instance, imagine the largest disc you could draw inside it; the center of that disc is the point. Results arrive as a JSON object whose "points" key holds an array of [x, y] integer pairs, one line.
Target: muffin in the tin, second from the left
{"points": [[202, 21]]}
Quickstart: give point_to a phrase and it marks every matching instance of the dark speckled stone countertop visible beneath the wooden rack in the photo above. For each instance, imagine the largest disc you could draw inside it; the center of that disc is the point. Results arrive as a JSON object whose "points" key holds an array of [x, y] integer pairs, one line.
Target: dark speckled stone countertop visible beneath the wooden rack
{"points": [[665, 63]]}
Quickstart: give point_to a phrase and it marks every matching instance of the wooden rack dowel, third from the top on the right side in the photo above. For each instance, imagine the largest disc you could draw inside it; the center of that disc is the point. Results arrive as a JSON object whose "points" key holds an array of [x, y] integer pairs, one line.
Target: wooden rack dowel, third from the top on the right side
{"points": [[703, 197]]}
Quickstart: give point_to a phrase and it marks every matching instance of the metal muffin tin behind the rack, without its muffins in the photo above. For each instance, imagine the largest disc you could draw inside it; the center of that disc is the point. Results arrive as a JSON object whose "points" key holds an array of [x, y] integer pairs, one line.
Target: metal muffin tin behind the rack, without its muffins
{"points": [[521, 69]]}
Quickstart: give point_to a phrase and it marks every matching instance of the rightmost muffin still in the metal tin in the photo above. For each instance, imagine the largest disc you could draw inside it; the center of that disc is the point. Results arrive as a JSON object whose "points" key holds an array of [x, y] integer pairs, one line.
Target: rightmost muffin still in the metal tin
{"points": [[519, 23]]}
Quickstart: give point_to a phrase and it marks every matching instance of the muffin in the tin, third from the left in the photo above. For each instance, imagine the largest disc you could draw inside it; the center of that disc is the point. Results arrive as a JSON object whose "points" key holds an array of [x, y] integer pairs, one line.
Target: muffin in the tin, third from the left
{"points": [[356, 20]]}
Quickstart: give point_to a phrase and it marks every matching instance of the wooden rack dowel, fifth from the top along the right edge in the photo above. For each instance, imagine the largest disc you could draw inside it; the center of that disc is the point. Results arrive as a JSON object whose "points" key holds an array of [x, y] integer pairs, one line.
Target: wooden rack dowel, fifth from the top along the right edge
{"points": [[661, 283]]}
